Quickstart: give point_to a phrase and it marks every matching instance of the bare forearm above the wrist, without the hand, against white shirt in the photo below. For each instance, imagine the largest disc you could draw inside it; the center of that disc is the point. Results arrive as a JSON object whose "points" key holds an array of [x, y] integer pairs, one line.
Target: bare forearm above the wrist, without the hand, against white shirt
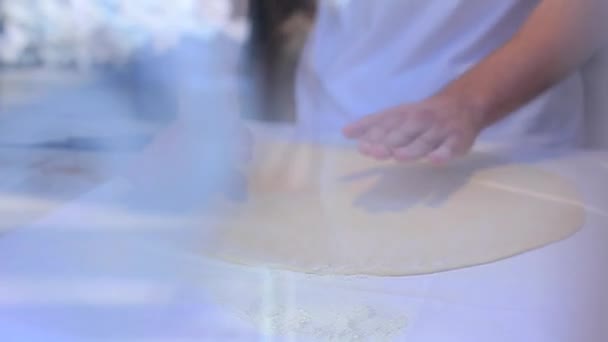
{"points": [[558, 37]]}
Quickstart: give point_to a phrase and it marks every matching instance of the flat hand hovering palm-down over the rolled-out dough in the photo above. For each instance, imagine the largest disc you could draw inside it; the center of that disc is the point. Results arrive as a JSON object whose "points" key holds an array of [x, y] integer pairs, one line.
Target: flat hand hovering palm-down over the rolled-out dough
{"points": [[438, 129]]}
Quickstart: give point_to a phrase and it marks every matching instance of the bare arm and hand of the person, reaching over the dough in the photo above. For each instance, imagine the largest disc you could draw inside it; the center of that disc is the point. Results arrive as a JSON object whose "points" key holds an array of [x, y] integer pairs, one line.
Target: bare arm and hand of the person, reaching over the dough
{"points": [[558, 37]]}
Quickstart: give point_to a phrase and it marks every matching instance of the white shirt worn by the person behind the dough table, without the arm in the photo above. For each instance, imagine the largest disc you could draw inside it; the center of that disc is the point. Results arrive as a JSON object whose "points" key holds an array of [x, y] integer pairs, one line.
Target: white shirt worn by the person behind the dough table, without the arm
{"points": [[366, 56]]}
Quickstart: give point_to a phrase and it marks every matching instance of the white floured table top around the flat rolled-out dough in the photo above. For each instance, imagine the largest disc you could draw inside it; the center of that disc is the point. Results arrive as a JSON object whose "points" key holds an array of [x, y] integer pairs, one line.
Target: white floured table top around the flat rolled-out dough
{"points": [[65, 278]]}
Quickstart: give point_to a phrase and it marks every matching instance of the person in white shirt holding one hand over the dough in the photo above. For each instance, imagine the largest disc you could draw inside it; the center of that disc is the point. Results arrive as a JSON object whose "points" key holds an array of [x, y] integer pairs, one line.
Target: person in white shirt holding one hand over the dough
{"points": [[427, 79]]}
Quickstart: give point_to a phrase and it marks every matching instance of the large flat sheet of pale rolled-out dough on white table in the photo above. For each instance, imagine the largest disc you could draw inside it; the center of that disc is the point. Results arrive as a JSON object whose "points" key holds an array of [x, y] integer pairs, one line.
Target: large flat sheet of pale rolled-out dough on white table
{"points": [[331, 211]]}
